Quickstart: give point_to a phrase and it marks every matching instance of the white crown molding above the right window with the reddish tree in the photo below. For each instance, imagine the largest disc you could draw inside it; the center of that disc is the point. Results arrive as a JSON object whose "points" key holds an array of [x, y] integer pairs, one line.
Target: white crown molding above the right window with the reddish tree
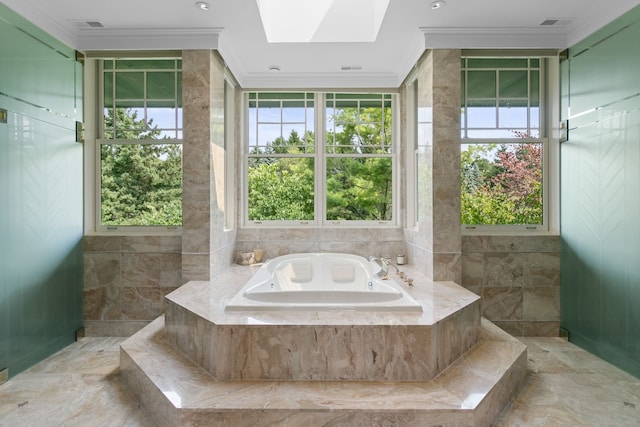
{"points": [[475, 38]]}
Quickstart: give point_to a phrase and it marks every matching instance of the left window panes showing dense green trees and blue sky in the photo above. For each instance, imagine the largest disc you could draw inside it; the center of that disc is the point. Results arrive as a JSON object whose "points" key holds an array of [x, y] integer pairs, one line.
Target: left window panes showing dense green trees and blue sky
{"points": [[140, 144]]}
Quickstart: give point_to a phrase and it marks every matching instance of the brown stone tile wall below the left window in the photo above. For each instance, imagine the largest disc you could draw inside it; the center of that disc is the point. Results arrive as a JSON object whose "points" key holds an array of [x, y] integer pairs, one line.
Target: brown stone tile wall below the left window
{"points": [[126, 279]]}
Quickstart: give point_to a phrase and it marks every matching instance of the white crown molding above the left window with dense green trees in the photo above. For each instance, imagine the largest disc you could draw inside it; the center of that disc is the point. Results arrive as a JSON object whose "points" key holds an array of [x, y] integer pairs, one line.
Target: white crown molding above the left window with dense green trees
{"points": [[148, 39]]}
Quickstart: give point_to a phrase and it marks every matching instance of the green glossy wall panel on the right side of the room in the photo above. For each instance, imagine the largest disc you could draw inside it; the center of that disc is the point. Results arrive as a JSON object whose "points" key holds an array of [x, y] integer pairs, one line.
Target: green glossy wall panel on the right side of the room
{"points": [[600, 208]]}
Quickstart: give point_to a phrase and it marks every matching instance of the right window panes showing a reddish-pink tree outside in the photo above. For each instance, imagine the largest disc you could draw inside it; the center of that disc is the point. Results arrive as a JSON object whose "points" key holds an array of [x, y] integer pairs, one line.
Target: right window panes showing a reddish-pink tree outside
{"points": [[504, 143]]}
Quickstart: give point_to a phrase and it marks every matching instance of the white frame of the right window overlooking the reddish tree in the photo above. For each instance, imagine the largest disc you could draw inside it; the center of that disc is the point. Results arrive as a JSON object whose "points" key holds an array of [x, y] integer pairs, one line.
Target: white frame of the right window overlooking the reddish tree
{"points": [[548, 137]]}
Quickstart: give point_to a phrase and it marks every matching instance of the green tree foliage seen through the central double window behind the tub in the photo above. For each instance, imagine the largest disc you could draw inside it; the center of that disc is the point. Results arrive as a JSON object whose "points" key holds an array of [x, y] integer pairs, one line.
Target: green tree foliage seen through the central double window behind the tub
{"points": [[358, 185]]}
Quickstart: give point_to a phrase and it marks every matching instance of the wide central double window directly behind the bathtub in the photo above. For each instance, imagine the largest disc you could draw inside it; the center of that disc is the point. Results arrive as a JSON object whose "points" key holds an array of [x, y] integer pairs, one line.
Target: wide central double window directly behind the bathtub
{"points": [[320, 159]]}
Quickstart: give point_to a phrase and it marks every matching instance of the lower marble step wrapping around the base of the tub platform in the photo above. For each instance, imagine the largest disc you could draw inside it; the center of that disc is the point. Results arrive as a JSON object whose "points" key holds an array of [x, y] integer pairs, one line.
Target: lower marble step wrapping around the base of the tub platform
{"points": [[177, 392]]}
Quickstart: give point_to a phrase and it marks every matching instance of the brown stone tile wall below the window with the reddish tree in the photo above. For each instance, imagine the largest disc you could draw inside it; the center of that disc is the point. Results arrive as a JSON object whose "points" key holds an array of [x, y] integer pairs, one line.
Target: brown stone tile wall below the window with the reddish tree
{"points": [[518, 278]]}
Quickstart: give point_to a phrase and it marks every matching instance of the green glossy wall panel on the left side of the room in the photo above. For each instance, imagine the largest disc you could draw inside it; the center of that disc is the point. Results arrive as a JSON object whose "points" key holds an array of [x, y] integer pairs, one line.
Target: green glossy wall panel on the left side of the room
{"points": [[40, 194]]}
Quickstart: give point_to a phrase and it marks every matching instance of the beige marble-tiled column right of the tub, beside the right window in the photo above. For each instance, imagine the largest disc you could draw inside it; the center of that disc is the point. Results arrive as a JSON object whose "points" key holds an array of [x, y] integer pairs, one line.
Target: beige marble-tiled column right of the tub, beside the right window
{"points": [[436, 242]]}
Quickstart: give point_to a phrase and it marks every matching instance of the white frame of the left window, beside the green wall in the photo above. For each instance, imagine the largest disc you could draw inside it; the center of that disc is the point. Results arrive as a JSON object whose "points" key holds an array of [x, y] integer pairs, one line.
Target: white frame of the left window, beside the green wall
{"points": [[99, 141]]}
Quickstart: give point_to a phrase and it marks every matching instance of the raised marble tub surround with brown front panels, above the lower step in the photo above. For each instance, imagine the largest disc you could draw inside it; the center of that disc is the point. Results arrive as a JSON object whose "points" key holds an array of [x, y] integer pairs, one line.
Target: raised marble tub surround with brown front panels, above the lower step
{"points": [[321, 345]]}
